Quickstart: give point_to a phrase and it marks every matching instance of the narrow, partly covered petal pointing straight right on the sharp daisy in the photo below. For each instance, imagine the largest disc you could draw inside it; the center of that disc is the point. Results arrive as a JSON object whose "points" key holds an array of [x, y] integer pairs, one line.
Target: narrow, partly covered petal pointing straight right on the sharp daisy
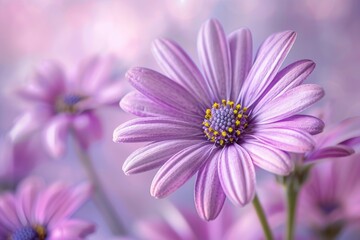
{"points": [[306, 123]]}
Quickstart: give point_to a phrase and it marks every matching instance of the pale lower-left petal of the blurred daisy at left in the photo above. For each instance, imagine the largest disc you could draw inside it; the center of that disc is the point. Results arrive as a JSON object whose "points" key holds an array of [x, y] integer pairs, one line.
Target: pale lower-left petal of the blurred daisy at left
{"points": [[29, 122]]}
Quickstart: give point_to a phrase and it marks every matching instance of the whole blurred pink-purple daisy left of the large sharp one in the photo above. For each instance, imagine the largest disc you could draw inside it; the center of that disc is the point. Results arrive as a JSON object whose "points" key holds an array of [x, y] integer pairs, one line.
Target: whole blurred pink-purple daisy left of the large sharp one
{"points": [[60, 103]]}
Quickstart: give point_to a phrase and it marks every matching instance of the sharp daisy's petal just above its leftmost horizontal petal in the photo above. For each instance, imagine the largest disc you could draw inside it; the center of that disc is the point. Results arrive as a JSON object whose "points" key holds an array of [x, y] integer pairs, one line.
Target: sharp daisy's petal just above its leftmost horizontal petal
{"points": [[139, 105]]}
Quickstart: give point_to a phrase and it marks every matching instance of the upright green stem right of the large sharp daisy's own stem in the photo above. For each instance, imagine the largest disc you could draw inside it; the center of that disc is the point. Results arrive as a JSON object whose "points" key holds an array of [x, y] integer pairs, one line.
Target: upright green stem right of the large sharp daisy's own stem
{"points": [[292, 190]]}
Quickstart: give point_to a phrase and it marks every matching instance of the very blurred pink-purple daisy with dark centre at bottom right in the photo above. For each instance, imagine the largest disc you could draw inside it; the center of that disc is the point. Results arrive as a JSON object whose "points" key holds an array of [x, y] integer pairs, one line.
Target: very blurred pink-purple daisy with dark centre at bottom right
{"points": [[329, 199]]}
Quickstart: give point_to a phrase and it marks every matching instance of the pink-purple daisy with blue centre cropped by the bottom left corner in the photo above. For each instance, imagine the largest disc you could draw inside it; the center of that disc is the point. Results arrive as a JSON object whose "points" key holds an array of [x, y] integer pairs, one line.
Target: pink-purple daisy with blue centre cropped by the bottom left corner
{"points": [[37, 212]]}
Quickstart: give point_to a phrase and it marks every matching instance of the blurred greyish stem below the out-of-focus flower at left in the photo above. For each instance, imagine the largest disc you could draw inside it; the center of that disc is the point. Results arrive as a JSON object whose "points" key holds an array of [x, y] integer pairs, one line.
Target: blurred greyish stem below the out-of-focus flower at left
{"points": [[100, 198]]}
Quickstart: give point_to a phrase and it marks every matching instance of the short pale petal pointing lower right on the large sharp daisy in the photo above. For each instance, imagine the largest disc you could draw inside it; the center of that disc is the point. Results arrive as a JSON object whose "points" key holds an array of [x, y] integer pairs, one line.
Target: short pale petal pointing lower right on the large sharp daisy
{"points": [[269, 158]]}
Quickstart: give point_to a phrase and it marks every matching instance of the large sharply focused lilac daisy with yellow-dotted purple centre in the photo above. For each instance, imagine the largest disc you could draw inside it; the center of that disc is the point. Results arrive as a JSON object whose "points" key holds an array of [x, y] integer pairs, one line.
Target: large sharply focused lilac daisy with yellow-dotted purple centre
{"points": [[221, 123]]}
